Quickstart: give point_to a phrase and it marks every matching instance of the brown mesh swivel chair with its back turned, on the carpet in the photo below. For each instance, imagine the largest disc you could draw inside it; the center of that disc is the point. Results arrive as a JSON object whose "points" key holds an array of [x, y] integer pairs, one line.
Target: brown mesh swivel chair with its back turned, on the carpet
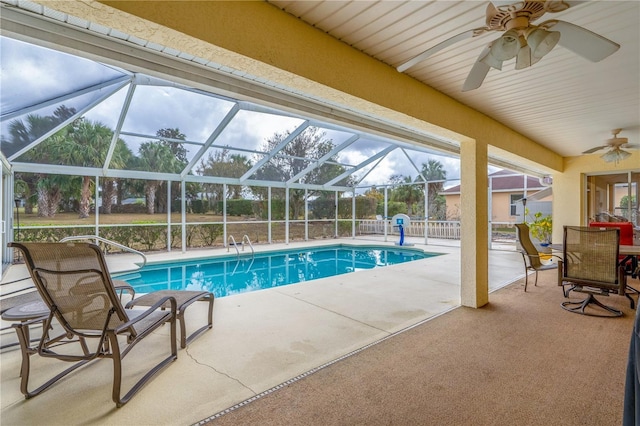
{"points": [[590, 264]]}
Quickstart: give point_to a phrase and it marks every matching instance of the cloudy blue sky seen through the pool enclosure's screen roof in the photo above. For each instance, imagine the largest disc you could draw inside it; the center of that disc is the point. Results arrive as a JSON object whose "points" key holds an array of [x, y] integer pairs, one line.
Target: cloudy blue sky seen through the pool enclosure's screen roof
{"points": [[48, 74]]}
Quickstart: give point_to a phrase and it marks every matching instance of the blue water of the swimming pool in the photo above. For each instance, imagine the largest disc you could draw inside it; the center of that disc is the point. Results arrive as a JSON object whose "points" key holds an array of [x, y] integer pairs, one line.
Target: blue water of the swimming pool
{"points": [[229, 275]]}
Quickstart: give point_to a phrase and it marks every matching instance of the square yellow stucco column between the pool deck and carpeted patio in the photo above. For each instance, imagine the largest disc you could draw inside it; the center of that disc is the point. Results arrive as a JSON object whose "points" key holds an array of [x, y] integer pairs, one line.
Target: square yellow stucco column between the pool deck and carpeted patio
{"points": [[474, 250]]}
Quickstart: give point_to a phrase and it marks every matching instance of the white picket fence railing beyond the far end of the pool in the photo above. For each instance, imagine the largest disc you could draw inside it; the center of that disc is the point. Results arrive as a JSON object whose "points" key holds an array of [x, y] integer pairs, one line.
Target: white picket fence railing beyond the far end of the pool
{"points": [[449, 230]]}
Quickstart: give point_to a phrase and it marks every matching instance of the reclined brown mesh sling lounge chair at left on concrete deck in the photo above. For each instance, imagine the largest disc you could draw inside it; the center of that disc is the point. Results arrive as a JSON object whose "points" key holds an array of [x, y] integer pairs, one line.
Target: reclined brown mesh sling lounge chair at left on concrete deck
{"points": [[74, 283]]}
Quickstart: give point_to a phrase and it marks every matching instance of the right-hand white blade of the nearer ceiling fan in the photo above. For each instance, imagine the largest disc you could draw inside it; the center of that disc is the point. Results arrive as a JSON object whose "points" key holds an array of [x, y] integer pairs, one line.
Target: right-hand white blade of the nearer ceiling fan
{"points": [[583, 42]]}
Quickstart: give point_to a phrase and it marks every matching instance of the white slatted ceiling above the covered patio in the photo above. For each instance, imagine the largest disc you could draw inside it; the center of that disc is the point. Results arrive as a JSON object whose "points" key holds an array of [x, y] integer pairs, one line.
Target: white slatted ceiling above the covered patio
{"points": [[563, 102]]}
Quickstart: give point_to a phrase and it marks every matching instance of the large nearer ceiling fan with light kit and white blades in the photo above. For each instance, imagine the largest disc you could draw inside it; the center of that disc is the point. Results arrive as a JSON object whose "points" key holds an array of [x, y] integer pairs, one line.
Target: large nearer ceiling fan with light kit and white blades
{"points": [[522, 40]]}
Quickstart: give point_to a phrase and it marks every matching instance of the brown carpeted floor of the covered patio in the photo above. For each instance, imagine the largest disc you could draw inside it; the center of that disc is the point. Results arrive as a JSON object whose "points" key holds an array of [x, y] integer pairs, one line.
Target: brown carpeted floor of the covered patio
{"points": [[521, 360]]}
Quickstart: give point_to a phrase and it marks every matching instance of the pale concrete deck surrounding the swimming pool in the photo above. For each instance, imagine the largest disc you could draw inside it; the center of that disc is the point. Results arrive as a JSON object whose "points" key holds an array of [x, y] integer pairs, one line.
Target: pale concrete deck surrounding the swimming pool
{"points": [[259, 340]]}
